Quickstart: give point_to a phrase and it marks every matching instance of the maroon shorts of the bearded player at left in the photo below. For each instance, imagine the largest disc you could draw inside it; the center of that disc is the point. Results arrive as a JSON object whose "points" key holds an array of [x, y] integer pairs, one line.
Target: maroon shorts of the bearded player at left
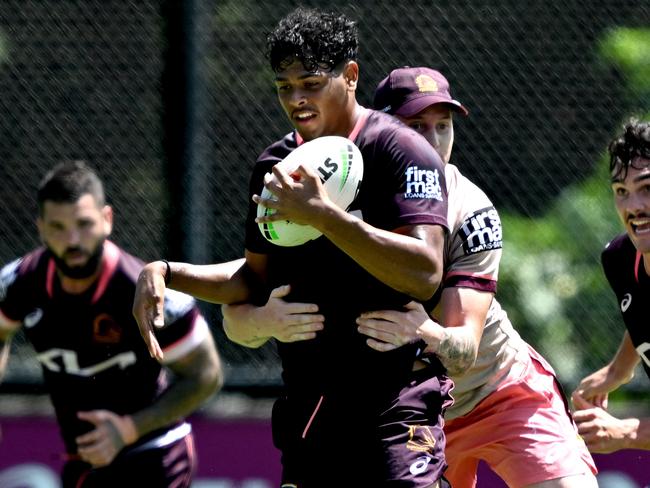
{"points": [[151, 465]]}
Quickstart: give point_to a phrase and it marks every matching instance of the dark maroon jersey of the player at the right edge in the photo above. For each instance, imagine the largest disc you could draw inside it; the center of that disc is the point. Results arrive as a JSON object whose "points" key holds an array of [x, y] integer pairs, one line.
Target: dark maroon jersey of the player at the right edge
{"points": [[624, 269]]}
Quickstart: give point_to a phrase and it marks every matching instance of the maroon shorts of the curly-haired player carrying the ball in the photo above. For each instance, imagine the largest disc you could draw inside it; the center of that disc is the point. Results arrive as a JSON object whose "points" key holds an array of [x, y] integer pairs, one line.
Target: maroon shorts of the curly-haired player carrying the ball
{"points": [[342, 440]]}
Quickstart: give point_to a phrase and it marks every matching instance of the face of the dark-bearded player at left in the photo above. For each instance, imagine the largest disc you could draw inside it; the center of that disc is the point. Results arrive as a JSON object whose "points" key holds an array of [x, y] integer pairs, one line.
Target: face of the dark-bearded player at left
{"points": [[74, 233]]}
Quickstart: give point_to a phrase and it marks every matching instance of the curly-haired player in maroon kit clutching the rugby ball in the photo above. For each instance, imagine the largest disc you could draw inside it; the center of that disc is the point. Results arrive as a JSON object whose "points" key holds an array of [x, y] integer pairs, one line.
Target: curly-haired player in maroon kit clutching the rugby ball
{"points": [[349, 415]]}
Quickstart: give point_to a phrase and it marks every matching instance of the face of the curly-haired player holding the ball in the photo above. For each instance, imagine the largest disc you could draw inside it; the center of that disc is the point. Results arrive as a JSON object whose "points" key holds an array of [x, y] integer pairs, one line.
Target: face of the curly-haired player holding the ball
{"points": [[318, 103]]}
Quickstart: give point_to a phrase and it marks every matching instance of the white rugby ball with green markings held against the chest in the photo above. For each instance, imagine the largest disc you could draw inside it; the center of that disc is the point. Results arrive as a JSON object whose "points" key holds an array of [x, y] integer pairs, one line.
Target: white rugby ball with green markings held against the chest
{"points": [[338, 162]]}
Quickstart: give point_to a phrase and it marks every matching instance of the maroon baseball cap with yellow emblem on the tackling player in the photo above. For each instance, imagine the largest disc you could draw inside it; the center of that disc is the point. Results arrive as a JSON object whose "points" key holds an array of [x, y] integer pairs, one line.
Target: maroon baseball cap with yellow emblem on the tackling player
{"points": [[407, 91]]}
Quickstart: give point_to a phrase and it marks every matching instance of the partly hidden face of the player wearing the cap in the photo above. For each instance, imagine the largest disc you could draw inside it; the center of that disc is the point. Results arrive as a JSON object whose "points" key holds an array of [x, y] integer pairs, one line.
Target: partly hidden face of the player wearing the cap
{"points": [[435, 123]]}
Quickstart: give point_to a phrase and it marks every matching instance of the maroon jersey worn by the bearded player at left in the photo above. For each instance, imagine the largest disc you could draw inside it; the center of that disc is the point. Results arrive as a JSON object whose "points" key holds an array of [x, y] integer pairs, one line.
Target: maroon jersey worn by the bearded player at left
{"points": [[89, 345]]}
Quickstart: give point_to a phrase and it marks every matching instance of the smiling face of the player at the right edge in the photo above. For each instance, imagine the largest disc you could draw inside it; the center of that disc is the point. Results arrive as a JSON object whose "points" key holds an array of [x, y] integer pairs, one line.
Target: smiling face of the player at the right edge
{"points": [[632, 198]]}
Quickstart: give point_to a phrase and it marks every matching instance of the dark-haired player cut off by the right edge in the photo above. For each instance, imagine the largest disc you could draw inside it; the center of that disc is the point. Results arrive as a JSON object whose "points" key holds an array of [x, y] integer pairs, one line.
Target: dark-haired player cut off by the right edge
{"points": [[626, 263]]}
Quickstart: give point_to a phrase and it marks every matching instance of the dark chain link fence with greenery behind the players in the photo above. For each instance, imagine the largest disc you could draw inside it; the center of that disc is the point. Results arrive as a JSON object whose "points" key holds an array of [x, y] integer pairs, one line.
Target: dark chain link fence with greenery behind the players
{"points": [[173, 100]]}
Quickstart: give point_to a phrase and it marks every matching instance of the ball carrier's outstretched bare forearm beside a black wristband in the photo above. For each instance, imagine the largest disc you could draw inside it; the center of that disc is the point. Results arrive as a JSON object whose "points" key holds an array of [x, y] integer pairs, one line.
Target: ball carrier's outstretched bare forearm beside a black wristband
{"points": [[215, 283]]}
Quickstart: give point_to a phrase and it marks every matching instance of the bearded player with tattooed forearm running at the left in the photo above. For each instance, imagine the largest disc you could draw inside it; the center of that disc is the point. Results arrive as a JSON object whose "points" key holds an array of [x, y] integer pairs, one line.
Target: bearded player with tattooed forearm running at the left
{"points": [[120, 414]]}
